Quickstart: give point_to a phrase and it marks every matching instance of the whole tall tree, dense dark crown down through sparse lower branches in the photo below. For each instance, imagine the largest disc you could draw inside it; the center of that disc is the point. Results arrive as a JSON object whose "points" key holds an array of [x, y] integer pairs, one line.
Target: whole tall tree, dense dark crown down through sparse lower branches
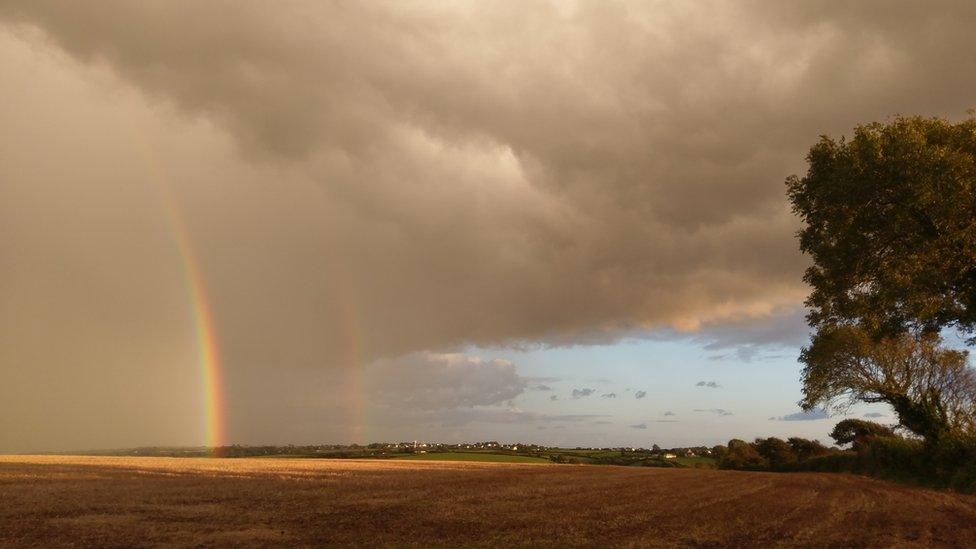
{"points": [[890, 223]]}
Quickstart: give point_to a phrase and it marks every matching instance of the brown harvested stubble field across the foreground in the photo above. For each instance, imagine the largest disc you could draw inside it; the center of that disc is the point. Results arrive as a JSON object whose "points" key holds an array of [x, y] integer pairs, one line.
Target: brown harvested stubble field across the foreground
{"points": [[98, 501]]}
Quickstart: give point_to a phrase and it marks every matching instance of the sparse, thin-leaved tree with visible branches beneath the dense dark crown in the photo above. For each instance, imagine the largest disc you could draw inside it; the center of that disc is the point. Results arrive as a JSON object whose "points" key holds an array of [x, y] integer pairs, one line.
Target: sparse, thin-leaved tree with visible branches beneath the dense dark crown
{"points": [[931, 388]]}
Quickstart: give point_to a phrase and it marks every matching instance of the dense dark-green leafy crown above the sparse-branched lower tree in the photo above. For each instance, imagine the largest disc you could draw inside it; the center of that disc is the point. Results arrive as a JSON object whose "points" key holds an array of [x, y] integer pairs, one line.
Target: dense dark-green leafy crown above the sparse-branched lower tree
{"points": [[890, 223]]}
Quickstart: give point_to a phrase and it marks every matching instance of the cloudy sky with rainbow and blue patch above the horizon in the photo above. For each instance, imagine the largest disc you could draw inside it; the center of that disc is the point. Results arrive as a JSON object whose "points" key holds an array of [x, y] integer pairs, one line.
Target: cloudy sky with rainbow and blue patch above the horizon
{"points": [[326, 222]]}
